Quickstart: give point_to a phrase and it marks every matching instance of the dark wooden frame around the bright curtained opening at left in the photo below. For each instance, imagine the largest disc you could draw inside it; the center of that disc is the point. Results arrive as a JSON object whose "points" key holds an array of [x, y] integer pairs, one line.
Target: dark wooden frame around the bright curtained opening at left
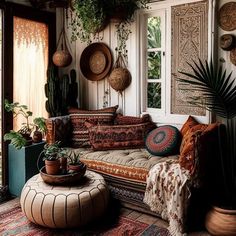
{"points": [[9, 11]]}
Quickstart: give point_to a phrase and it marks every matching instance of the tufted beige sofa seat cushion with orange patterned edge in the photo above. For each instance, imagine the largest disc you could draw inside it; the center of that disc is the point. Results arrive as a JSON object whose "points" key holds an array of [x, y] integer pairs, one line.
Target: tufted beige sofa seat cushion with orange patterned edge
{"points": [[130, 164]]}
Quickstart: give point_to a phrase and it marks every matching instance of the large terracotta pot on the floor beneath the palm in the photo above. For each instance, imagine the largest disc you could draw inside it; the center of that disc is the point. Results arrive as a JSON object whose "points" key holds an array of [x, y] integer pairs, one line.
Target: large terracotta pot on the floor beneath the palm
{"points": [[221, 221]]}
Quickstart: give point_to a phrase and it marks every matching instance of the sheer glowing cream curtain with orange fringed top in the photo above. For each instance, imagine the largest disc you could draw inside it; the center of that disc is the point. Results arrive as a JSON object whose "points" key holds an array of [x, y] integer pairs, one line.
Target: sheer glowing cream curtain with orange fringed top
{"points": [[30, 66]]}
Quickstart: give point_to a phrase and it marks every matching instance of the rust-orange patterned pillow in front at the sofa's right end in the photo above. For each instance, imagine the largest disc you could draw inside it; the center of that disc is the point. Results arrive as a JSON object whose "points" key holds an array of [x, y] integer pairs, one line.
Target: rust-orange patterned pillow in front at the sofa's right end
{"points": [[194, 143]]}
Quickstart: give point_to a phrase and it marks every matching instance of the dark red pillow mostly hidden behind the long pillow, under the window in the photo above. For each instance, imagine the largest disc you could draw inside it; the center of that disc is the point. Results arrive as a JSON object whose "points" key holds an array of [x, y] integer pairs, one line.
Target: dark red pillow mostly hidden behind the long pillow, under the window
{"points": [[131, 120]]}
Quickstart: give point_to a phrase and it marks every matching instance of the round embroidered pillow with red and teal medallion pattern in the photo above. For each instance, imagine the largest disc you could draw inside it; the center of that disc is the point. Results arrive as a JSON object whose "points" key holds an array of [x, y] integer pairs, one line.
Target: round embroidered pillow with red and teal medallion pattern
{"points": [[163, 141]]}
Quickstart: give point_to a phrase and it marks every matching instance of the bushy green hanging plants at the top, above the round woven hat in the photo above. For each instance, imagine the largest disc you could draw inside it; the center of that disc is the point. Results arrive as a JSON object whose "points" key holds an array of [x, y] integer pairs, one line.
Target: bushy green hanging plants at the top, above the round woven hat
{"points": [[91, 16]]}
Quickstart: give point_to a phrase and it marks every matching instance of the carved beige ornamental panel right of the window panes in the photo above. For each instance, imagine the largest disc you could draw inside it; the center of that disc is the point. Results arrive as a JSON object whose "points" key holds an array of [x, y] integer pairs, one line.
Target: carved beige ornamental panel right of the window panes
{"points": [[189, 42]]}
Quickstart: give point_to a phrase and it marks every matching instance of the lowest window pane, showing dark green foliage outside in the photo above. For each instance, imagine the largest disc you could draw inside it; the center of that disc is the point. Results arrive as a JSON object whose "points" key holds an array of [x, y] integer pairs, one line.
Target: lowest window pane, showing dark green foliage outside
{"points": [[154, 95]]}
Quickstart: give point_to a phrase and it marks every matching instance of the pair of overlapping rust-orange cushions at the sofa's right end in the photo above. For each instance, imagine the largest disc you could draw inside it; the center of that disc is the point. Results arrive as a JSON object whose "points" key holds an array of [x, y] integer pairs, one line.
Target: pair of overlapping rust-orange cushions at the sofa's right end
{"points": [[197, 138]]}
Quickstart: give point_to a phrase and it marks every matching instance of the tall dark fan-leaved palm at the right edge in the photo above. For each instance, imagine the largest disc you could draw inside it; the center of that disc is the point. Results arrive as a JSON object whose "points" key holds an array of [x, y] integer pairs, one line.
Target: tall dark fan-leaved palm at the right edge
{"points": [[219, 93]]}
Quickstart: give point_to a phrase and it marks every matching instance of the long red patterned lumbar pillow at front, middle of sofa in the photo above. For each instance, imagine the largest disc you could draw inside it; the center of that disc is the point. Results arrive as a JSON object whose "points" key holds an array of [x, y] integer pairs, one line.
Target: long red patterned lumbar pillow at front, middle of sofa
{"points": [[106, 137]]}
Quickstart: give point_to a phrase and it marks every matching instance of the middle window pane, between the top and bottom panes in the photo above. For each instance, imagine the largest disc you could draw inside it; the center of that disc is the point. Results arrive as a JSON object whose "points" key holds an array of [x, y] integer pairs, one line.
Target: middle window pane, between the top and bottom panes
{"points": [[154, 65]]}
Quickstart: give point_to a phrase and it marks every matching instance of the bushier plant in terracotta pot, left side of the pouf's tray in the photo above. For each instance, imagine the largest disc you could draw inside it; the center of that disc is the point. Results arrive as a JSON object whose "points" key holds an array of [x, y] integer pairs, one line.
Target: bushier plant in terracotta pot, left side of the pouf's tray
{"points": [[51, 156]]}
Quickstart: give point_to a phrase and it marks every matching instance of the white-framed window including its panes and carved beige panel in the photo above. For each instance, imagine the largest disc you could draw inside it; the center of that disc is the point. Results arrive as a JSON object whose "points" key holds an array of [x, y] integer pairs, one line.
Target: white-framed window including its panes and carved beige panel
{"points": [[170, 35]]}
